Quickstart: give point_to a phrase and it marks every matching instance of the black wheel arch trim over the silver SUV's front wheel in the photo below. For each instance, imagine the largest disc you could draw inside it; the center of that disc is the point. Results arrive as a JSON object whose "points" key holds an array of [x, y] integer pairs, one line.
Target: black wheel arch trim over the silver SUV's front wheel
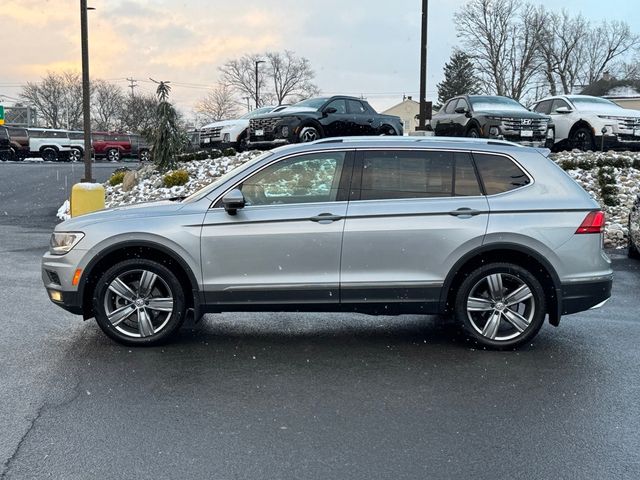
{"points": [[137, 249]]}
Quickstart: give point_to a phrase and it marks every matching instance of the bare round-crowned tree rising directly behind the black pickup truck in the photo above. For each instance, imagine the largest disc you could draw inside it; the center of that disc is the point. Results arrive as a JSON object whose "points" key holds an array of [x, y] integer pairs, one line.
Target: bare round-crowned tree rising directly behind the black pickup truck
{"points": [[291, 76]]}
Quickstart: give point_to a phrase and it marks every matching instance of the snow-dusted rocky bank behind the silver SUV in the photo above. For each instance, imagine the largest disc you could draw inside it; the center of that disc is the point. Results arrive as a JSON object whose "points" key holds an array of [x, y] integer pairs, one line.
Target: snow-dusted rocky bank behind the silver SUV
{"points": [[203, 172]]}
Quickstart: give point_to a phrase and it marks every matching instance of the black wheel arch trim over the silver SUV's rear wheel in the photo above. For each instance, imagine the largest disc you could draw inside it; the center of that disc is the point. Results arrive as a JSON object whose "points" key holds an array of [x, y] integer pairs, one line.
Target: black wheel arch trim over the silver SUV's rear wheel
{"points": [[520, 255]]}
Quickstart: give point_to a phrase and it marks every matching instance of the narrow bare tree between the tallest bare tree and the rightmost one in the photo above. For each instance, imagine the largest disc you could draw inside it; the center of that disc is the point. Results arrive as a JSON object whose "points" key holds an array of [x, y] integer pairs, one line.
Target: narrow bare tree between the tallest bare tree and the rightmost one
{"points": [[561, 43]]}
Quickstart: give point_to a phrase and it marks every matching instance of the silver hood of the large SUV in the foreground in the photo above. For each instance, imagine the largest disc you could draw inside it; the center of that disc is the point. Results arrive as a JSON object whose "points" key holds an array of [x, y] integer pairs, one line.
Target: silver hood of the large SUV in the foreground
{"points": [[148, 209]]}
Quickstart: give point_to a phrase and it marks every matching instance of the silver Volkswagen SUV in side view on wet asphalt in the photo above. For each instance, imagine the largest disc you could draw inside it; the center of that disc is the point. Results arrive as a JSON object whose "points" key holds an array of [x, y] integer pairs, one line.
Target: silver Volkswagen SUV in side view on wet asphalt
{"points": [[491, 232]]}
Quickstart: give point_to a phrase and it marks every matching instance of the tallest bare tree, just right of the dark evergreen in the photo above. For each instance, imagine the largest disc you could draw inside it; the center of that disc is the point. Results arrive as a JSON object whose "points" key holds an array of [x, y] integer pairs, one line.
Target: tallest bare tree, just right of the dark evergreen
{"points": [[502, 38]]}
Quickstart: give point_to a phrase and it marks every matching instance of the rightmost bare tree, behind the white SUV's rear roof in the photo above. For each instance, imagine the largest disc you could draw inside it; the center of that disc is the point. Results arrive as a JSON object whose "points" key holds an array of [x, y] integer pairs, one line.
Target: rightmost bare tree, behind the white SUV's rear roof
{"points": [[604, 45]]}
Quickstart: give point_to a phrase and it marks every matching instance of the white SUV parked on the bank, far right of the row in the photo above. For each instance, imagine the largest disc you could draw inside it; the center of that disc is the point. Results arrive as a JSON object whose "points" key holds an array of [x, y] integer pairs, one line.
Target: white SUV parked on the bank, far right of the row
{"points": [[591, 123]]}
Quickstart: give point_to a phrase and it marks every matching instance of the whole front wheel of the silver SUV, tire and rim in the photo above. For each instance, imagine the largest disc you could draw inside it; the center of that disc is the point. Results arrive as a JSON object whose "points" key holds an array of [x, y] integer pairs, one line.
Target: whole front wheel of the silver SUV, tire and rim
{"points": [[139, 302]]}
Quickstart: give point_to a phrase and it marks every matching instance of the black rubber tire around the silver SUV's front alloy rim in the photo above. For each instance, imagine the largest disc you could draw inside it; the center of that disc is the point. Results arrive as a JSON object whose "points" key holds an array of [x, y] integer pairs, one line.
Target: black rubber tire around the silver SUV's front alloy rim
{"points": [[166, 283]]}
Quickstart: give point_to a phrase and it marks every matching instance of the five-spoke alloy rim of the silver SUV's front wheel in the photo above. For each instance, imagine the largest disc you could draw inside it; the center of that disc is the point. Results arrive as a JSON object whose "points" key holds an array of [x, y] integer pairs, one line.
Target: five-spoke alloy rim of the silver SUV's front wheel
{"points": [[138, 303]]}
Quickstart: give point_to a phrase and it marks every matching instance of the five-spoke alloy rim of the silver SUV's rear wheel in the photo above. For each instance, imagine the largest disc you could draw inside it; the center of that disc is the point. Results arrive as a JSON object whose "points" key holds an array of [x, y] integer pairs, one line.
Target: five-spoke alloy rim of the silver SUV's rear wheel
{"points": [[501, 306]]}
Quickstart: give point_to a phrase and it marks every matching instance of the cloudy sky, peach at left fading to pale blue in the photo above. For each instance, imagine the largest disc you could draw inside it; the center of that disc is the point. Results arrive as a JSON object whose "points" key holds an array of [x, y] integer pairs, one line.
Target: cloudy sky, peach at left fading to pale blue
{"points": [[368, 47]]}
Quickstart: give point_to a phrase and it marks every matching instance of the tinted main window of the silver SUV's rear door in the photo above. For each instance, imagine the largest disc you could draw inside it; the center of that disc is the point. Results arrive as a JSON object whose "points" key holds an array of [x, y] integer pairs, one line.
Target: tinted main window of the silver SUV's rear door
{"points": [[406, 175]]}
